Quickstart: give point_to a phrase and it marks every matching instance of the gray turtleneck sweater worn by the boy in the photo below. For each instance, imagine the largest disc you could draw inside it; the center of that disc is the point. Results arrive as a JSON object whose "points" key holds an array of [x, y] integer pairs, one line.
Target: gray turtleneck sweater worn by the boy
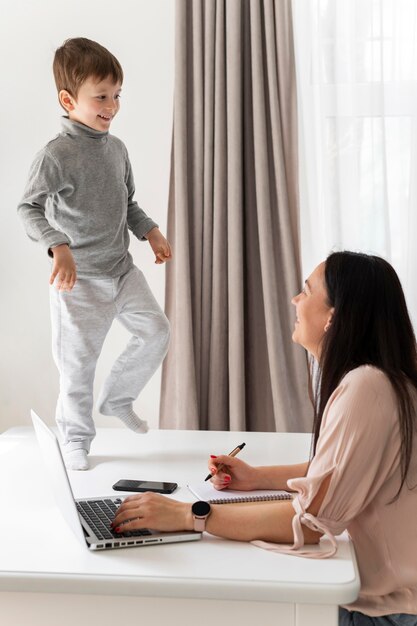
{"points": [[80, 192]]}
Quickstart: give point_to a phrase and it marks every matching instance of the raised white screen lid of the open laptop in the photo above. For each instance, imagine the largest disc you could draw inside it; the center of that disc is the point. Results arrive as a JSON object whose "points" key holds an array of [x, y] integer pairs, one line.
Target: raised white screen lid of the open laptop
{"points": [[58, 477]]}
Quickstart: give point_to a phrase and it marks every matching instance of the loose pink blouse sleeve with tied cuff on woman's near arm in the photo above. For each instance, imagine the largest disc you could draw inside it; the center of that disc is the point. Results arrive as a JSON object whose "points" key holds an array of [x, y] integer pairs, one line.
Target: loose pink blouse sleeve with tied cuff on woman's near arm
{"points": [[358, 447]]}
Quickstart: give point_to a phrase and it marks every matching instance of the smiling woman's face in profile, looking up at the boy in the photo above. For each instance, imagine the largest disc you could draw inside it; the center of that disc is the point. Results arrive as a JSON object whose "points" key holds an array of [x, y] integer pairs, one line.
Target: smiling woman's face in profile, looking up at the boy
{"points": [[313, 313]]}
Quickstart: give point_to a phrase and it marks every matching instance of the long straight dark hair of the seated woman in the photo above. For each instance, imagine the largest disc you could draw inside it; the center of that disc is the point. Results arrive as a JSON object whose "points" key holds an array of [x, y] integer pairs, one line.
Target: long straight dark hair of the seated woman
{"points": [[370, 326]]}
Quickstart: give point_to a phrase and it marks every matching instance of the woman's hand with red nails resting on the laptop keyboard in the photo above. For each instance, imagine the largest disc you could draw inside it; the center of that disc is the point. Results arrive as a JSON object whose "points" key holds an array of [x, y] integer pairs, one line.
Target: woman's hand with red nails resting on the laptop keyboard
{"points": [[151, 510]]}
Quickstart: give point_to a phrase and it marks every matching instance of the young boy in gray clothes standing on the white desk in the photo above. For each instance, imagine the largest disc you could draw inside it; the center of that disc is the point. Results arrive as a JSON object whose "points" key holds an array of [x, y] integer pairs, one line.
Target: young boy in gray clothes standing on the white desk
{"points": [[78, 204]]}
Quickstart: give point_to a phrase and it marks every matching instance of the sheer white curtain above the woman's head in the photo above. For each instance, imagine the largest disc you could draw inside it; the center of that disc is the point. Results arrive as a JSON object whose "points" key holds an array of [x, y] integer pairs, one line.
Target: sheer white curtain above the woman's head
{"points": [[356, 63]]}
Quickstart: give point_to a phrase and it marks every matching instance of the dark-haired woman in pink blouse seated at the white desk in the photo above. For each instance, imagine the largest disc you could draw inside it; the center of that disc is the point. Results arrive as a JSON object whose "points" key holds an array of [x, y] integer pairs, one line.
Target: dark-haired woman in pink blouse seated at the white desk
{"points": [[352, 318]]}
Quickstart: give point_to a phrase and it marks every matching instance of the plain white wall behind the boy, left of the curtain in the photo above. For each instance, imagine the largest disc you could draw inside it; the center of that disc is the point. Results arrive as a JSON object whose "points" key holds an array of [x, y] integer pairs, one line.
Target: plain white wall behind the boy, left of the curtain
{"points": [[141, 35]]}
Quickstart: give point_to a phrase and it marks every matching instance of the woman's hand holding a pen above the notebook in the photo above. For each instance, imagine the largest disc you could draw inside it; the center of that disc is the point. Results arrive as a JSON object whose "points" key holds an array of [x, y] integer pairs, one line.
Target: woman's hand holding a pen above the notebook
{"points": [[228, 471]]}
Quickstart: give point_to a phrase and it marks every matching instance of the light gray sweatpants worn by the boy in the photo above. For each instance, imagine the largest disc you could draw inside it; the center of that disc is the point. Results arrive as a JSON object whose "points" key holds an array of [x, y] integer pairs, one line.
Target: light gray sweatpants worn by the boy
{"points": [[81, 320]]}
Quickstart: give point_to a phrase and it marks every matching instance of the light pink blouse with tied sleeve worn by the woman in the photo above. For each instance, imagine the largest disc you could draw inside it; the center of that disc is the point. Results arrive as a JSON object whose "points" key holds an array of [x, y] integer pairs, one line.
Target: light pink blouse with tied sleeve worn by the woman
{"points": [[359, 445]]}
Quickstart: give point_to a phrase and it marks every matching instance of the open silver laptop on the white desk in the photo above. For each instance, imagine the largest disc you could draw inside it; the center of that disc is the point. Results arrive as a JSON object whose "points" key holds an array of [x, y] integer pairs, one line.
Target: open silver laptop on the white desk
{"points": [[90, 518]]}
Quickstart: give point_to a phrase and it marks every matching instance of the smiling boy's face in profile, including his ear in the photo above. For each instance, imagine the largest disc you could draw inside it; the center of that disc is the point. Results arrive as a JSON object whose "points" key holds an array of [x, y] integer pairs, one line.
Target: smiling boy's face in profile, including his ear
{"points": [[96, 104]]}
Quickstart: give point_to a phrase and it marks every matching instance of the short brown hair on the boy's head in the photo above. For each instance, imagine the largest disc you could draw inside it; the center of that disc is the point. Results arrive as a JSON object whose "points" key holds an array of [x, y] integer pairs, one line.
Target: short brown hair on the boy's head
{"points": [[79, 59]]}
